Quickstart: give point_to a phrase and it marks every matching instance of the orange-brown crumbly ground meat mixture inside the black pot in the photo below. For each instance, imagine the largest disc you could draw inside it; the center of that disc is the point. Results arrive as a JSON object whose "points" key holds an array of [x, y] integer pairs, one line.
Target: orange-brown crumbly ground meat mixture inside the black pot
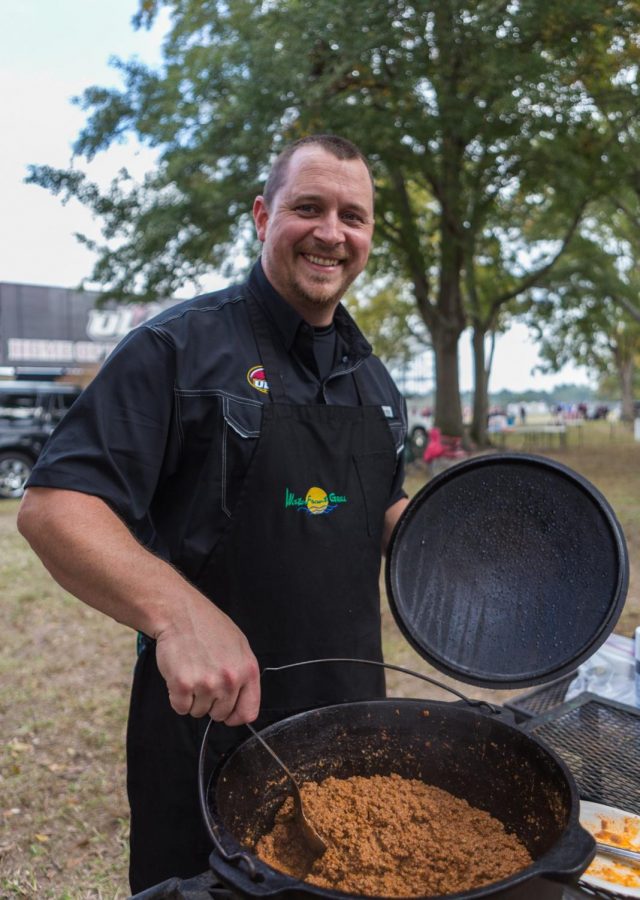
{"points": [[394, 837]]}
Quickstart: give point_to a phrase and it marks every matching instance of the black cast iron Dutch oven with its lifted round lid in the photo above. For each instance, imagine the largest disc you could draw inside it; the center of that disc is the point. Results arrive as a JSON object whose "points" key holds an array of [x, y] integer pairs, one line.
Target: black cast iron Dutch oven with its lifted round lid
{"points": [[504, 571]]}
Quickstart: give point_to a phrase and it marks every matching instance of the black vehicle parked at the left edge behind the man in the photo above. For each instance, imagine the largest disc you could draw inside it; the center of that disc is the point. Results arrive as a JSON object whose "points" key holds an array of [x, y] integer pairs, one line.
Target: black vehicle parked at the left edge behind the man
{"points": [[29, 411]]}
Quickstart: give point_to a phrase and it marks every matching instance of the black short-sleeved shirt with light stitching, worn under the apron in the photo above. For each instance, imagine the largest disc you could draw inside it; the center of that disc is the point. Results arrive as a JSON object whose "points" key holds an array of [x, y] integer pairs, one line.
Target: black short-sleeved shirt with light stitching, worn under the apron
{"points": [[165, 432]]}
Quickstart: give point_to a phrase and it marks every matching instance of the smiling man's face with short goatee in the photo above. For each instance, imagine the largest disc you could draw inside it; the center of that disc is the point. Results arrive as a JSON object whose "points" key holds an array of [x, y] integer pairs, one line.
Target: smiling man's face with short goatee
{"points": [[317, 233]]}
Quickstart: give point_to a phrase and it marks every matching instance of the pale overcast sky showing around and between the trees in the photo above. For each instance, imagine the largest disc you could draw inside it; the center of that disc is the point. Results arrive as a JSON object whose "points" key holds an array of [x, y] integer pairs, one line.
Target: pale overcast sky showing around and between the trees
{"points": [[50, 52]]}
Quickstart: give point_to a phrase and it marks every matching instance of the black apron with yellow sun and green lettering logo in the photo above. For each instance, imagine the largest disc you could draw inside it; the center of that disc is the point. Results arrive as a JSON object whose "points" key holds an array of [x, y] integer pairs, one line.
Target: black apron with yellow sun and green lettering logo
{"points": [[297, 570]]}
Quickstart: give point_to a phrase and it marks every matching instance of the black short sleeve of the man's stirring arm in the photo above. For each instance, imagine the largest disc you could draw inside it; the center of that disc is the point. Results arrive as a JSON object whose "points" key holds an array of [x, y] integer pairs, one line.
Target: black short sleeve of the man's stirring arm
{"points": [[117, 437]]}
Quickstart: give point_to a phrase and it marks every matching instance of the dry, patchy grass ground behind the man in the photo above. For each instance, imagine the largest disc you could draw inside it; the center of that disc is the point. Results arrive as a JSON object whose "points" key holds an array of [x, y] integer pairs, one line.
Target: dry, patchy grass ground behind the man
{"points": [[64, 677]]}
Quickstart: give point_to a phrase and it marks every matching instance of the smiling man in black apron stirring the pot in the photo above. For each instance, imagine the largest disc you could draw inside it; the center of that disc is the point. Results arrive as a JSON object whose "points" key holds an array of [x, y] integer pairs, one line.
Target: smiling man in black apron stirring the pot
{"points": [[225, 486]]}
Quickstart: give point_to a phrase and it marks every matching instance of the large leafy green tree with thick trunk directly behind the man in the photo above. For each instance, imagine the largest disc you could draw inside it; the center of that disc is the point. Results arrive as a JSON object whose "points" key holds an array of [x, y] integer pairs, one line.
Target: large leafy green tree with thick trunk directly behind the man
{"points": [[457, 104]]}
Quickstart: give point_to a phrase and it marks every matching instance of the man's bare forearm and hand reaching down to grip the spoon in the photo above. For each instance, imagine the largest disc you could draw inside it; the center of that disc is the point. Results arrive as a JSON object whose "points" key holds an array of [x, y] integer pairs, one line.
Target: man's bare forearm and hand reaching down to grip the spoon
{"points": [[205, 659]]}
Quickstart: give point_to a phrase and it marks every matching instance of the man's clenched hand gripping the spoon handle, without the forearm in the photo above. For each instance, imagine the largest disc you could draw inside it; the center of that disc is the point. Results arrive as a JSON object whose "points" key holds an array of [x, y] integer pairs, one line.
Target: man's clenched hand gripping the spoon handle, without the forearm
{"points": [[209, 668]]}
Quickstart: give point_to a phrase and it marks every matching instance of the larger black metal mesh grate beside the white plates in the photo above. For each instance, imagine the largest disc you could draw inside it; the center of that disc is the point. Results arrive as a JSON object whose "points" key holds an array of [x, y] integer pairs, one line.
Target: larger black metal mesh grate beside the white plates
{"points": [[599, 740]]}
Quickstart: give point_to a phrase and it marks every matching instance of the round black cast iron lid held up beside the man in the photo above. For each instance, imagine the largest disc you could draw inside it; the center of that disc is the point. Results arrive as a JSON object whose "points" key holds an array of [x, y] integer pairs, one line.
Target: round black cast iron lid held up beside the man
{"points": [[507, 570]]}
